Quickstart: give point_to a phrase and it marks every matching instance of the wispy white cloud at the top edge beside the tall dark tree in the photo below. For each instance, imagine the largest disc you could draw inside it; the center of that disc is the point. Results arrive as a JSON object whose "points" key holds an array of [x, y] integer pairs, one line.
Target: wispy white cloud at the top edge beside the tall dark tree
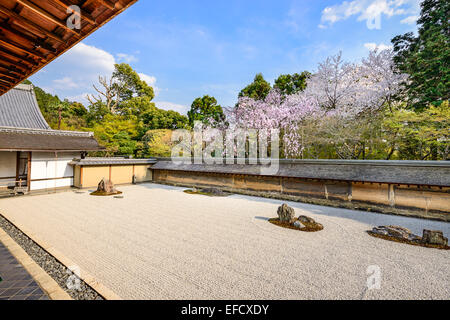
{"points": [[370, 11]]}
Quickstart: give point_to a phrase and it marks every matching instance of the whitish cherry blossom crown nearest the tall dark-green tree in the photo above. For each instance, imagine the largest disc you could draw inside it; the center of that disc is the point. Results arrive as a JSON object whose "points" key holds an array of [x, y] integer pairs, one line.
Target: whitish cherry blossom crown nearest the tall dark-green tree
{"points": [[351, 89]]}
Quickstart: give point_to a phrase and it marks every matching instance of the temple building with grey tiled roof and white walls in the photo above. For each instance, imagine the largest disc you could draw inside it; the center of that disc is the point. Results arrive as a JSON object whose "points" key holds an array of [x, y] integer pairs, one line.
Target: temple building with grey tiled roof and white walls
{"points": [[32, 156]]}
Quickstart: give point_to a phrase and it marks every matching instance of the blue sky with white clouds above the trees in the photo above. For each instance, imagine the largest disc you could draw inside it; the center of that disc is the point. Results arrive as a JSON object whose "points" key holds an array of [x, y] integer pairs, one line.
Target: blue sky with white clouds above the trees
{"points": [[186, 49]]}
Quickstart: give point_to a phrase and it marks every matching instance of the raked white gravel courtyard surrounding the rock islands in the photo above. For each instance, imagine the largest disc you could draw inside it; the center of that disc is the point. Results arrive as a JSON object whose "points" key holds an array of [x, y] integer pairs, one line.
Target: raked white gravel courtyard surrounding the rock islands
{"points": [[161, 243]]}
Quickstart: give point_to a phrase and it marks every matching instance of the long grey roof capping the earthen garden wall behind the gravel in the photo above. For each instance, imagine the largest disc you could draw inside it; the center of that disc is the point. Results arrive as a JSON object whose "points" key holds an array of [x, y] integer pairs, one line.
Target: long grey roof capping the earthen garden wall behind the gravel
{"points": [[429, 173]]}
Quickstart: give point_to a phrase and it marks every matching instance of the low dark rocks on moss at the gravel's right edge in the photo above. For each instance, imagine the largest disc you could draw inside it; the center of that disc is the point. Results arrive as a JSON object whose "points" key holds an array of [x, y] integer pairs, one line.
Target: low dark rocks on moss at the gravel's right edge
{"points": [[430, 238]]}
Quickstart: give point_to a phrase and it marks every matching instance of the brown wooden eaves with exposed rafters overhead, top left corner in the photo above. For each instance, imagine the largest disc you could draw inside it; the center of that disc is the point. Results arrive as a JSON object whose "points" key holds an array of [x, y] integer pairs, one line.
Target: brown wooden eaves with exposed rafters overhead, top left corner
{"points": [[35, 32]]}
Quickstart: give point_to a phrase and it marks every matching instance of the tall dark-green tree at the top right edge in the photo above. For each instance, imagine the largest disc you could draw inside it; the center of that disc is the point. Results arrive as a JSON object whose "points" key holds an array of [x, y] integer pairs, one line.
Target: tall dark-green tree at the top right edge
{"points": [[426, 58]]}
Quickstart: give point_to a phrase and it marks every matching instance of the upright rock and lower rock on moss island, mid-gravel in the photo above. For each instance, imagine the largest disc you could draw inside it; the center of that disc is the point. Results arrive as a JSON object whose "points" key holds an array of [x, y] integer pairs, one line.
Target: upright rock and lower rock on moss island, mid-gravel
{"points": [[287, 219]]}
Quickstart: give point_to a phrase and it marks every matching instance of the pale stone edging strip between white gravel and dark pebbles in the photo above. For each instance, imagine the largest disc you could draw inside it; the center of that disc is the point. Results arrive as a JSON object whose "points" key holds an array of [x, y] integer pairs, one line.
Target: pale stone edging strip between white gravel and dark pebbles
{"points": [[102, 290]]}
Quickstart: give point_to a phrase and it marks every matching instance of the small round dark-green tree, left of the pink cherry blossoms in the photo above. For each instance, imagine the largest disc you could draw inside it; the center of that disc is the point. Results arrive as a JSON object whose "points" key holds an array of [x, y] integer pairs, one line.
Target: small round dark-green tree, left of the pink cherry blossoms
{"points": [[205, 110]]}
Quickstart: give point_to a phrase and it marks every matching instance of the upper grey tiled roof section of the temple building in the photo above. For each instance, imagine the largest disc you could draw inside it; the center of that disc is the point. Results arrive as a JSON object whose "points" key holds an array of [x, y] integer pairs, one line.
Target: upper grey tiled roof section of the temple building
{"points": [[19, 109]]}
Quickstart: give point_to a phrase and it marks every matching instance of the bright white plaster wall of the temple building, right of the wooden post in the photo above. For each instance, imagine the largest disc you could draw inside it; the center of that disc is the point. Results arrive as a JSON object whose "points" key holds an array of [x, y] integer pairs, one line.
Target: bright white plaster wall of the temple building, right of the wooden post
{"points": [[51, 166]]}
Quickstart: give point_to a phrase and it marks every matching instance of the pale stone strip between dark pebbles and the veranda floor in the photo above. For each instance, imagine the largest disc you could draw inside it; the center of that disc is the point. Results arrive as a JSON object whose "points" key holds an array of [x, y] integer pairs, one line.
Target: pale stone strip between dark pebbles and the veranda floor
{"points": [[50, 286]]}
